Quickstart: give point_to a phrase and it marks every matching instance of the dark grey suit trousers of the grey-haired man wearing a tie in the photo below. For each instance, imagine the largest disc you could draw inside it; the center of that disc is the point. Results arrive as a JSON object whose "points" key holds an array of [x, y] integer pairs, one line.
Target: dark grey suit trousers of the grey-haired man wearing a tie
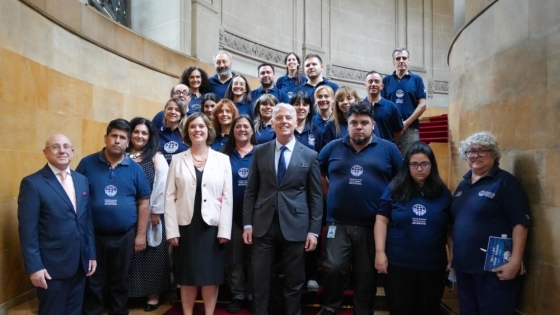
{"points": [[263, 252]]}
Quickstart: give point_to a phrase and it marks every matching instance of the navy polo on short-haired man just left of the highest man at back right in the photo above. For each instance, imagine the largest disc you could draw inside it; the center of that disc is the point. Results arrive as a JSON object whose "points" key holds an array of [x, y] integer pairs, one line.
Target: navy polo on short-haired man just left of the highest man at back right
{"points": [[387, 119]]}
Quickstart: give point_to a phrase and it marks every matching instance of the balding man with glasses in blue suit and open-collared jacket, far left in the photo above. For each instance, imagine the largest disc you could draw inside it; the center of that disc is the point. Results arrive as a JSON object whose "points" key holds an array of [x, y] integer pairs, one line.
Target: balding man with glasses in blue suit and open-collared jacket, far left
{"points": [[56, 230]]}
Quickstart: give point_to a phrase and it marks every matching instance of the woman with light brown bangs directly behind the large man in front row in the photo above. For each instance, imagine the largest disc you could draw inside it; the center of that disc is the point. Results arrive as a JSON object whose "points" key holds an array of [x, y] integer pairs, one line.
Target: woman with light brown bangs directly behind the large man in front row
{"points": [[337, 126]]}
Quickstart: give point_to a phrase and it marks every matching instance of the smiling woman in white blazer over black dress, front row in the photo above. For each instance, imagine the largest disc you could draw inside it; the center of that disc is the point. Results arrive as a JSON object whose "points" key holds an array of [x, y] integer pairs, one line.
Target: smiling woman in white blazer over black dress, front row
{"points": [[198, 210]]}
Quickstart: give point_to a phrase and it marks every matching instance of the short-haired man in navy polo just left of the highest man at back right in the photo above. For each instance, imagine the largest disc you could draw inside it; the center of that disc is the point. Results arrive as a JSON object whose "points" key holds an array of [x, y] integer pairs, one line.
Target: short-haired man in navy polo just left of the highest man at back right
{"points": [[387, 118]]}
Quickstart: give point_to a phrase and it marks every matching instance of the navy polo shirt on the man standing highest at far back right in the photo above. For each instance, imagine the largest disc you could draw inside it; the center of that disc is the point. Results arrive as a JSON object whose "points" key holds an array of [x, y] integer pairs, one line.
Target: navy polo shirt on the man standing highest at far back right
{"points": [[405, 93]]}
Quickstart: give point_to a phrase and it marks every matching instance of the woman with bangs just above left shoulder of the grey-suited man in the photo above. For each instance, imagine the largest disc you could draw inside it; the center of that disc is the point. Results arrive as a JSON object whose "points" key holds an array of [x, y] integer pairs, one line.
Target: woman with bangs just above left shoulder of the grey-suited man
{"points": [[262, 113]]}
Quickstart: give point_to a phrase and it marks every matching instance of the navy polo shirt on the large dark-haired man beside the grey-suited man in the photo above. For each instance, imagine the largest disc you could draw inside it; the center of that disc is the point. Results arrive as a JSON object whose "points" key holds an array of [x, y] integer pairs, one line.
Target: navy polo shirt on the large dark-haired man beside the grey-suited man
{"points": [[357, 179]]}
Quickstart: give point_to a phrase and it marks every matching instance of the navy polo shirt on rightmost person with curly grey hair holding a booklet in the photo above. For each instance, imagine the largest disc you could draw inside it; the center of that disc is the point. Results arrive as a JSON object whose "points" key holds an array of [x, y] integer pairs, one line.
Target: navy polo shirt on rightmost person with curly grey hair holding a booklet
{"points": [[490, 207]]}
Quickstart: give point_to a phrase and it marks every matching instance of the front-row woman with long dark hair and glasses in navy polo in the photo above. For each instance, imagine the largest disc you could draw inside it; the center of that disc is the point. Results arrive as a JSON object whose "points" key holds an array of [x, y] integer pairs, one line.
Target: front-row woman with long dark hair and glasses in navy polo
{"points": [[410, 232]]}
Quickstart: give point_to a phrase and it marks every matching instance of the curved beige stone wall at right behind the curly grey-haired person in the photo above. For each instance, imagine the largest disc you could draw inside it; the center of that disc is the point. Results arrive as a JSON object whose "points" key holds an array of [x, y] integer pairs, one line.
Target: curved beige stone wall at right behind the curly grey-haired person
{"points": [[505, 79]]}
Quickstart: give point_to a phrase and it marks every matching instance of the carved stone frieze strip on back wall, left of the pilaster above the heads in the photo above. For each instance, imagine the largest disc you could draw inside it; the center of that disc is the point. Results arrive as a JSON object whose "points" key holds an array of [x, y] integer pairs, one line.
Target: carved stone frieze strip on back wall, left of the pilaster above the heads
{"points": [[251, 48]]}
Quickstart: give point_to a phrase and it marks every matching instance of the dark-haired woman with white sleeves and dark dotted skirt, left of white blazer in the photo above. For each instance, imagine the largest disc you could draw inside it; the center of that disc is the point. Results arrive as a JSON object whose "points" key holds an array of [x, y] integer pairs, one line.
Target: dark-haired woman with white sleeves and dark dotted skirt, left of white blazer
{"points": [[149, 275]]}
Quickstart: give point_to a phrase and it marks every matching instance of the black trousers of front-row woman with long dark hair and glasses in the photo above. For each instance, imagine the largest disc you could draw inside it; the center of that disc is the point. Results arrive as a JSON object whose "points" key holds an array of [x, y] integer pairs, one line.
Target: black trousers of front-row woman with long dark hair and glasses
{"points": [[413, 291]]}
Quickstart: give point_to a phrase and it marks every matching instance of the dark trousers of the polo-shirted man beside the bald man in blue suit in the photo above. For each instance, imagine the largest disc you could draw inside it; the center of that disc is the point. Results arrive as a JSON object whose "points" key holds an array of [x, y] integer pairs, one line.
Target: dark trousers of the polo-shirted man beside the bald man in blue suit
{"points": [[111, 279]]}
